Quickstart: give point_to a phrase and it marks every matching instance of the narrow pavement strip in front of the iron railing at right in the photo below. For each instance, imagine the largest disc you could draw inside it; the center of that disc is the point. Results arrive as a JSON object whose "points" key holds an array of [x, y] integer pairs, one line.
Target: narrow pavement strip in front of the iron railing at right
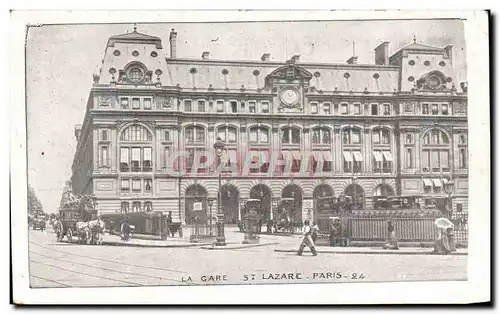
{"points": [[371, 250]]}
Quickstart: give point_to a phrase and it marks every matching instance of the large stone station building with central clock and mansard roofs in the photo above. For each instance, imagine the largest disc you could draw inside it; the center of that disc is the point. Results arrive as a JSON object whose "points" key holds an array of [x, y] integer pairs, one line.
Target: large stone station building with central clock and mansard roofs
{"points": [[396, 127]]}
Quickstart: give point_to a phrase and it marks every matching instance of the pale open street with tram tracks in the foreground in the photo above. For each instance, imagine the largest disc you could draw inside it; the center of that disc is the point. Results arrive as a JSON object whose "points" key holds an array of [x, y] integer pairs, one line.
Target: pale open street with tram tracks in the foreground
{"points": [[55, 264]]}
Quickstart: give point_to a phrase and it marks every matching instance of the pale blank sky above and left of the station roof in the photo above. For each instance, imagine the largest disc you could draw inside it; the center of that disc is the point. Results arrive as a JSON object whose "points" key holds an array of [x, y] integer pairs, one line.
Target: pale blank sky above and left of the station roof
{"points": [[60, 61]]}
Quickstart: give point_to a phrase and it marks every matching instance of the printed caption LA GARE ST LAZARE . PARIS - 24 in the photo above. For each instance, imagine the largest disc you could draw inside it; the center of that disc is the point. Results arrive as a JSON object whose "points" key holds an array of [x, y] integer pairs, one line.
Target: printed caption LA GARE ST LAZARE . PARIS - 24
{"points": [[280, 276]]}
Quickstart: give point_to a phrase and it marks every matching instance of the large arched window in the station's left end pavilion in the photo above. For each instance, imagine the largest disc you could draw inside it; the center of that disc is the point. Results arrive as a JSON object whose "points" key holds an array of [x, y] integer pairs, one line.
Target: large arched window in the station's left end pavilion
{"points": [[136, 149]]}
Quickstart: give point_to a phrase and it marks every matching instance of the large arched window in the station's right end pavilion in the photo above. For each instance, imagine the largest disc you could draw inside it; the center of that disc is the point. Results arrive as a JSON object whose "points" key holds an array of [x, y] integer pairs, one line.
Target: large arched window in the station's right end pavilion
{"points": [[435, 152]]}
